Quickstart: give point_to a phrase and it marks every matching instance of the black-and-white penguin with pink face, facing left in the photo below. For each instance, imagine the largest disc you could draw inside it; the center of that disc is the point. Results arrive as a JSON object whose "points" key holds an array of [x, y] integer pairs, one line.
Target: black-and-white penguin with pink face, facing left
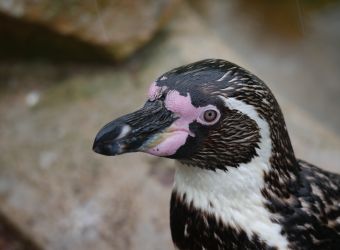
{"points": [[239, 184]]}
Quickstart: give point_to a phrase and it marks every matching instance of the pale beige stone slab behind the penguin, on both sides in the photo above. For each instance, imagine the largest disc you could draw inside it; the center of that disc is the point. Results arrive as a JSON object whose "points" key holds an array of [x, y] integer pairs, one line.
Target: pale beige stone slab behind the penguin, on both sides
{"points": [[66, 197]]}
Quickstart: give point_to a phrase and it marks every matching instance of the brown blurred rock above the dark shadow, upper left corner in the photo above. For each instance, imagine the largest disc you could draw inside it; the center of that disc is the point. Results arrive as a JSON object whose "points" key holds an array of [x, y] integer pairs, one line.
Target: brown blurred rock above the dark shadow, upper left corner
{"points": [[121, 27]]}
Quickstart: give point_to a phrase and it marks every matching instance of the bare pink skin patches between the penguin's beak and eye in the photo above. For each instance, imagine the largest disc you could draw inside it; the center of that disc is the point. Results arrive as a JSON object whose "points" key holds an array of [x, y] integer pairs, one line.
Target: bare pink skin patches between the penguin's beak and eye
{"points": [[175, 136]]}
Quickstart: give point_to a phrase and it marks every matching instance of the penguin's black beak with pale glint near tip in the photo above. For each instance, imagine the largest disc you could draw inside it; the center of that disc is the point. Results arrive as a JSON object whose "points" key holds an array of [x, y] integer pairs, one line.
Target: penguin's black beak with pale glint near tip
{"points": [[128, 133]]}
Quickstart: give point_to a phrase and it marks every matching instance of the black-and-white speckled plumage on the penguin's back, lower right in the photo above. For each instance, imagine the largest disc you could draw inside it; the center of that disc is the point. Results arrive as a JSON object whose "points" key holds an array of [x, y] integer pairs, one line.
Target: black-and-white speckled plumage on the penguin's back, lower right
{"points": [[308, 208]]}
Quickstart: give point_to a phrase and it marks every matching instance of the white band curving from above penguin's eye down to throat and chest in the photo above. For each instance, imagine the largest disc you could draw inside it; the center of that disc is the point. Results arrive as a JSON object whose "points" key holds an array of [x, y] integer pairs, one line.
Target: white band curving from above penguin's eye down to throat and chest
{"points": [[235, 194]]}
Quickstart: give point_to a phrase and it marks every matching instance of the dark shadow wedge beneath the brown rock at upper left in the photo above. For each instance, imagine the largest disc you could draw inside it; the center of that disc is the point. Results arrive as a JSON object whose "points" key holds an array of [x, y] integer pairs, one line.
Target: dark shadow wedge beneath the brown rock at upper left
{"points": [[24, 40]]}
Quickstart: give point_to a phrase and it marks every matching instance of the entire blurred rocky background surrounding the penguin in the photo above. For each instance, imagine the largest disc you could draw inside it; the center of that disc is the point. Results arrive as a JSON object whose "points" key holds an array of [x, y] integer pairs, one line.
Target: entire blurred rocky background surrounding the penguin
{"points": [[68, 67]]}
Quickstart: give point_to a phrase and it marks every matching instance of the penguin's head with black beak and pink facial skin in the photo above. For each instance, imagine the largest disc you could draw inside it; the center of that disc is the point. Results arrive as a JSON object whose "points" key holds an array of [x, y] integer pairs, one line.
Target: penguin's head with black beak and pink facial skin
{"points": [[211, 114]]}
